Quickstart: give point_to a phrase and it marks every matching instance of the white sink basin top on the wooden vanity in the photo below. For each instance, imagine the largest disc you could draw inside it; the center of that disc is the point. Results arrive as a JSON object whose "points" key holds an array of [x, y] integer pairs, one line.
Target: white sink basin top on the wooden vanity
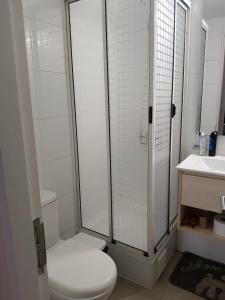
{"points": [[204, 164]]}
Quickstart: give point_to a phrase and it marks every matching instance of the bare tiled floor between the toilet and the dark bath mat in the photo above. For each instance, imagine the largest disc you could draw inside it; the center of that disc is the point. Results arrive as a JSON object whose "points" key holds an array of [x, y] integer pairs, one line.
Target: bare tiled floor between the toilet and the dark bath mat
{"points": [[163, 290]]}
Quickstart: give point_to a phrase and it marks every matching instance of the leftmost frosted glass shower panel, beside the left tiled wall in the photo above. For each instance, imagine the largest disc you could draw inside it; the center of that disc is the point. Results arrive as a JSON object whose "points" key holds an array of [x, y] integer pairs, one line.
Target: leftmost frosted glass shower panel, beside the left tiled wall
{"points": [[86, 17]]}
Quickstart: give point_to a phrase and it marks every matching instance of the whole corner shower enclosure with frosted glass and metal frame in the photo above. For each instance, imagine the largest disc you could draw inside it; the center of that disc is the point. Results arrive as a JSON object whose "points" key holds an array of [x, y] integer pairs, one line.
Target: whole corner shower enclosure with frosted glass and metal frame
{"points": [[127, 73]]}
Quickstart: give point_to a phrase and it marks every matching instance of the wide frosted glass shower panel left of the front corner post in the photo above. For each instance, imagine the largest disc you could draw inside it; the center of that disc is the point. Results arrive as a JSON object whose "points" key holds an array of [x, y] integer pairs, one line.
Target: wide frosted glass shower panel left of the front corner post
{"points": [[128, 52]]}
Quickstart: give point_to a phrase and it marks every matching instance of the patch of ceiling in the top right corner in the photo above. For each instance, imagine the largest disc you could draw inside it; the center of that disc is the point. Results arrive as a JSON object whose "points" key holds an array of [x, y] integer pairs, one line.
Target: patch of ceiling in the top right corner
{"points": [[213, 8]]}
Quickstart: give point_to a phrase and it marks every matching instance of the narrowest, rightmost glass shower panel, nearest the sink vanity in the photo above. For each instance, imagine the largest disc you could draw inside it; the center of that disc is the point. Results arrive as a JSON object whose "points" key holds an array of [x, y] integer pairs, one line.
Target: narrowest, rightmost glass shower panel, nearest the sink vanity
{"points": [[177, 100]]}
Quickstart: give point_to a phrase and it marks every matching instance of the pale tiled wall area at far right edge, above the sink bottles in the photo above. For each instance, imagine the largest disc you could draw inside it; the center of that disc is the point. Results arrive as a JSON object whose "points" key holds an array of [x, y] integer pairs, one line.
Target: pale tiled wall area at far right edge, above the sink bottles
{"points": [[213, 74]]}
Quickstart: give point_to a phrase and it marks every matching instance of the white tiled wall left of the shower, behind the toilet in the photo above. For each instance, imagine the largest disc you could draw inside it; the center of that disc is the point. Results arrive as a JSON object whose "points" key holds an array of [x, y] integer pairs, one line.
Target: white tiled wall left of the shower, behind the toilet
{"points": [[45, 41]]}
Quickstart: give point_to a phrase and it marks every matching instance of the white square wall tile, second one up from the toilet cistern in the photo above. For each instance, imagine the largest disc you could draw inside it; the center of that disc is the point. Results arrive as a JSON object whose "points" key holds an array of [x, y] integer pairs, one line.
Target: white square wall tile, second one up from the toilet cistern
{"points": [[55, 138]]}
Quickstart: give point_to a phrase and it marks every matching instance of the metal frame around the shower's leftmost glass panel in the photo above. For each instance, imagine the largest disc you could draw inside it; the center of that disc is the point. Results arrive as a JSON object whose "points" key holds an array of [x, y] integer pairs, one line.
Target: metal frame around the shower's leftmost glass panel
{"points": [[81, 228]]}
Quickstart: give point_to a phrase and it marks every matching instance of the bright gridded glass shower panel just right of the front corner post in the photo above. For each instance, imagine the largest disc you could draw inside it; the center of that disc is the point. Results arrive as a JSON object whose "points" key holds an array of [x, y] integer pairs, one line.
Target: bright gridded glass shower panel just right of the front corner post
{"points": [[164, 82]]}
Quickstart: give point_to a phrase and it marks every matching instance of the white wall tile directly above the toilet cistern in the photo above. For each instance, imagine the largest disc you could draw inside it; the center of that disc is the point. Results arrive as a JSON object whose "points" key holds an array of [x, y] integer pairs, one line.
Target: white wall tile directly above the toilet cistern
{"points": [[59, 176]]}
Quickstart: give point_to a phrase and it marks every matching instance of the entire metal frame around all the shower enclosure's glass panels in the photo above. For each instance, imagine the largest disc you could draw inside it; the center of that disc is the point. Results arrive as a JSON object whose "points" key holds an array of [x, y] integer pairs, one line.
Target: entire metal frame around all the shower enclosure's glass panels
{"points": [[152, 78]]}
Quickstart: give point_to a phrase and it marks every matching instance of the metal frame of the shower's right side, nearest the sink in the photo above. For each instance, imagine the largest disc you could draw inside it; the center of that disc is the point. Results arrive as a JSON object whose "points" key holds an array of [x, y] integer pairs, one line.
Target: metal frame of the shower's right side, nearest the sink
{"points": [[186, 4]]}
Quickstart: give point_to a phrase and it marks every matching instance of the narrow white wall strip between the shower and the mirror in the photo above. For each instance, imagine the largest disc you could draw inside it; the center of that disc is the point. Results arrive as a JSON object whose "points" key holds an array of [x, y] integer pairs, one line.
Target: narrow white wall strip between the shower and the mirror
{"points": [[192, 107]]}
